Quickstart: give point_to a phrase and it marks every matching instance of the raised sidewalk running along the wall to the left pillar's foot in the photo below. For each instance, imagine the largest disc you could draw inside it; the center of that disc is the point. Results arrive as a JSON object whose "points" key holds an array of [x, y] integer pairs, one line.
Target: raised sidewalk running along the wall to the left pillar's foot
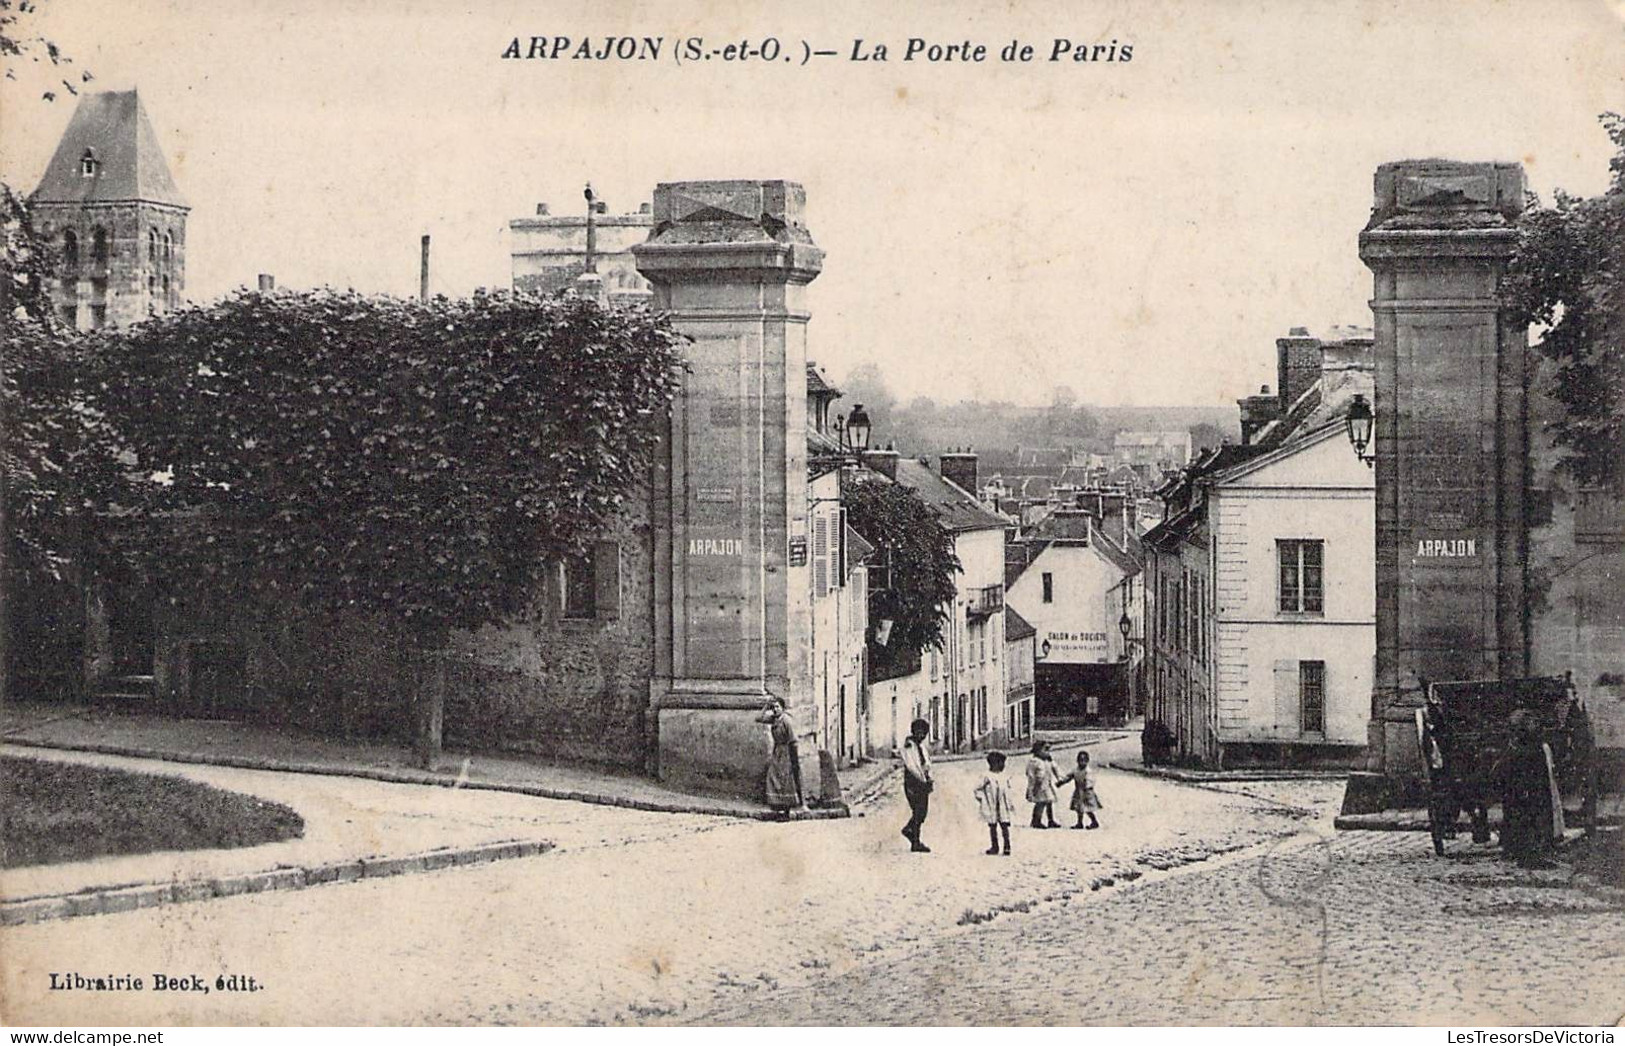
{"points": [[248, 746]]}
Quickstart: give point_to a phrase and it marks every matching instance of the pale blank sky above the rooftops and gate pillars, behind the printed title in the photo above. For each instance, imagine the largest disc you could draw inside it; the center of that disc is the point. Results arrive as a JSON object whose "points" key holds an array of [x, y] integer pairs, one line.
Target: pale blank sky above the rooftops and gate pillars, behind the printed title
{"points": [[1140, 231]]}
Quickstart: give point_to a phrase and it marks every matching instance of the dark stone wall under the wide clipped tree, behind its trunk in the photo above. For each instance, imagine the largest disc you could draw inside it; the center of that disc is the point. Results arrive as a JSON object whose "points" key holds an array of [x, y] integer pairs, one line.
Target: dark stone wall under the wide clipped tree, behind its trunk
{"points": [[545, 683]]}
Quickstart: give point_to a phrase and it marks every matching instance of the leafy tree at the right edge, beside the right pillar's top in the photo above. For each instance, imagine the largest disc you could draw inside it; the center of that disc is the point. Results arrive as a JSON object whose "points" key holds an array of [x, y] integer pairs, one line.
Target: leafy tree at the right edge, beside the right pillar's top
{"points": [[1567, 275]]}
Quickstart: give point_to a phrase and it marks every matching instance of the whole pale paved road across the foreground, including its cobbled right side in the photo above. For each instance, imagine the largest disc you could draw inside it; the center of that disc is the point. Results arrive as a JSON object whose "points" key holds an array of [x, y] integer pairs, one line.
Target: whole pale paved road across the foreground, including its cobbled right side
{"points": [[836, 922]]}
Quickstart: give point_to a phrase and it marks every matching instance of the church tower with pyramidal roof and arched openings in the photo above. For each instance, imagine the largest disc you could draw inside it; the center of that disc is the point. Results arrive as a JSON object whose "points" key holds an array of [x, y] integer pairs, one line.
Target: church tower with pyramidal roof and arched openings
{"points": [[111, 209]]}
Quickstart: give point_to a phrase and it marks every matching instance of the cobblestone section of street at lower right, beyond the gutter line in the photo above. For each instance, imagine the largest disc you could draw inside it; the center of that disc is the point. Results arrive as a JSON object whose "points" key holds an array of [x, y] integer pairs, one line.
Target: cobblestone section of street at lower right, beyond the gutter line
{"points": [[1364, 928]]}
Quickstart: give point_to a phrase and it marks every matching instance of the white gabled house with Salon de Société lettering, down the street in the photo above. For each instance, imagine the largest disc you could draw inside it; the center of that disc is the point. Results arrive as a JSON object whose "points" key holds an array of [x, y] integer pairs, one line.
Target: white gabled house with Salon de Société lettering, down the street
{"points": [[1067, 577]]}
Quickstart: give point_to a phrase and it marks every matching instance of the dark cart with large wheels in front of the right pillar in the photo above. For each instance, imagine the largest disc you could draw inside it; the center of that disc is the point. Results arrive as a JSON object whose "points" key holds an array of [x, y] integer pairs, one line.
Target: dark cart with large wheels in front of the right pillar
{"points": [[1515, 743]]}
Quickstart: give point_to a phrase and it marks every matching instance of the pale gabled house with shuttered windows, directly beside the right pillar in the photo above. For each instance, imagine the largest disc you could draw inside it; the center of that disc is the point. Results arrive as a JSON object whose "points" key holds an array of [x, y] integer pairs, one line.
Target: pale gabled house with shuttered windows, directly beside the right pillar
{"points": [[1259, 594]]}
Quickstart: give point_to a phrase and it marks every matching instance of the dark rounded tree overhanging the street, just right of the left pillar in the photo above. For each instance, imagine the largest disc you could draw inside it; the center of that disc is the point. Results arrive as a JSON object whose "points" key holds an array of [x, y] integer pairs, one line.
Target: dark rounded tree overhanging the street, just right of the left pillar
{"points": [[917, 568]]}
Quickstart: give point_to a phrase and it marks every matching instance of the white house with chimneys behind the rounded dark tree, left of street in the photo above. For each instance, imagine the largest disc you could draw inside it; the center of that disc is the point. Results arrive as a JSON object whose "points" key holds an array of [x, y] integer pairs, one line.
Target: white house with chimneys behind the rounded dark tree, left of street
{"points": [[958, 689]]}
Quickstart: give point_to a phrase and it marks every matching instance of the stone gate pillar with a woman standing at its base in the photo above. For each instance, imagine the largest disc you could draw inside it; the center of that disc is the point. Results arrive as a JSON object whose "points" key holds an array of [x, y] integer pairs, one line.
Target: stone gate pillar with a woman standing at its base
{"points": [[732, 262]]}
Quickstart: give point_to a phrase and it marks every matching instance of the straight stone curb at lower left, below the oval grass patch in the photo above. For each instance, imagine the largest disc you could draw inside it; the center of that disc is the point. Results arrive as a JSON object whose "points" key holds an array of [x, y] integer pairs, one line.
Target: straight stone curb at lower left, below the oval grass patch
{"points": [[152, 896]]}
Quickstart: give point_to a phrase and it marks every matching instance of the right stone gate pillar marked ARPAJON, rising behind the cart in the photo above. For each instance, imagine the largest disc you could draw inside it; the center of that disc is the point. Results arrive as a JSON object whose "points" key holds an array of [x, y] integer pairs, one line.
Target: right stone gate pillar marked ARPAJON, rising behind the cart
{"points": [[1452, 451]]}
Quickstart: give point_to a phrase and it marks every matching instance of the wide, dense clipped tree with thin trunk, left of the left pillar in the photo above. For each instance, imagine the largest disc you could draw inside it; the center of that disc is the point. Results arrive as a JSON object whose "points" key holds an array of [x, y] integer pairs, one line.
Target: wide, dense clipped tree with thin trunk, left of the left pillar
{"points": [[418, 462]]}
